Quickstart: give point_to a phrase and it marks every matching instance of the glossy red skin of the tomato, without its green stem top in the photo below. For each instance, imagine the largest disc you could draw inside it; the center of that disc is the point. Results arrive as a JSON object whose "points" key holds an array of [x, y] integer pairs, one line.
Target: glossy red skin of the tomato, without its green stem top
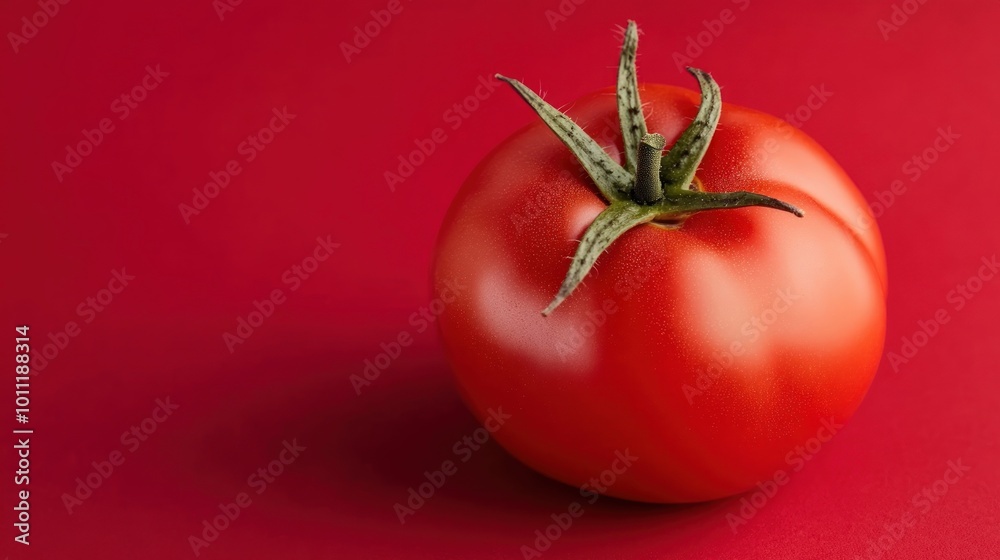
{"points": [[712, 352]]}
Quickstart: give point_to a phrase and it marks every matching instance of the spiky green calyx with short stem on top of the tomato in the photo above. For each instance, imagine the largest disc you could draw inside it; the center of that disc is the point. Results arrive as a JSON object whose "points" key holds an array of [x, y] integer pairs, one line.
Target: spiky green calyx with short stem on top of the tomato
{"points": [[651, 186]]}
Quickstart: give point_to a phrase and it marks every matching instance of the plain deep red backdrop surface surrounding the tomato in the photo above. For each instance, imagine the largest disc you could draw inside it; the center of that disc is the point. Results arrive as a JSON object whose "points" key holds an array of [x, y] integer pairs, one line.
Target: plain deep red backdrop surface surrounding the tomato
{"points": [[162, 336]]}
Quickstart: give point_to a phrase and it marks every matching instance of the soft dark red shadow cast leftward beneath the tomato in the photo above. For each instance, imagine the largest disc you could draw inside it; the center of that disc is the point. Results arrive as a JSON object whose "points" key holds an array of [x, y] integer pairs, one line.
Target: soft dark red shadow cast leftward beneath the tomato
{"points": [[365, 452]]}
